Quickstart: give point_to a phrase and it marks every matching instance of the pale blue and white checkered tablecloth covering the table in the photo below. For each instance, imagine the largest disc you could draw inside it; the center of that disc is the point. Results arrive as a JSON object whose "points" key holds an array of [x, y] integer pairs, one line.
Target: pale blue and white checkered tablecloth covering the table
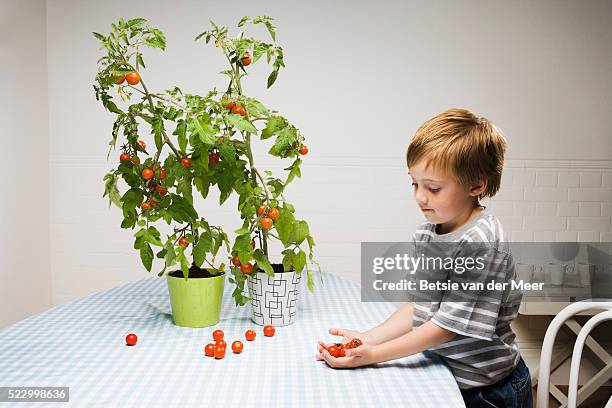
{"points": [[81, 345]]}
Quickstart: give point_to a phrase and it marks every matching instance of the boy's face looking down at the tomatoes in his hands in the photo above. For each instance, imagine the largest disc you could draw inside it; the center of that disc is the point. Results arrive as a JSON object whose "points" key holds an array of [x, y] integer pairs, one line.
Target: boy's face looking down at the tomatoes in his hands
{"points": [[441, 198]]}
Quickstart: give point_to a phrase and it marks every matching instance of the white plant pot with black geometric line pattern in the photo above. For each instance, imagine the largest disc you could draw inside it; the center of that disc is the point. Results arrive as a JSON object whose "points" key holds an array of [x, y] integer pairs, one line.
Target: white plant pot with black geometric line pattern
{"points": [[274, 299]]}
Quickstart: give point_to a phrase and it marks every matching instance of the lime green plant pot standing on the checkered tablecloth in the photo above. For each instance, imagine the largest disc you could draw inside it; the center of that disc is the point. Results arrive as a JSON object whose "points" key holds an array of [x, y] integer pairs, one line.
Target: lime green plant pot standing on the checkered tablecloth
{"points": [[196, 302]]}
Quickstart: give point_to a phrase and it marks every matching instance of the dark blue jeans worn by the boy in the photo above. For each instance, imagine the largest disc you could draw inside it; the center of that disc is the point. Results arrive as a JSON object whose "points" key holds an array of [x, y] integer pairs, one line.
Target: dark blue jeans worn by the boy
{"points": [[514, 391]]}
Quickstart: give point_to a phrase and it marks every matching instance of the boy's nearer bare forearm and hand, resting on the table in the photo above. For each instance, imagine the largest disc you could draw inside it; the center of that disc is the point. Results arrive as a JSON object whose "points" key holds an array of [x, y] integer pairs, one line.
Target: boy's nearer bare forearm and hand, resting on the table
{"points": [[420, 339]]}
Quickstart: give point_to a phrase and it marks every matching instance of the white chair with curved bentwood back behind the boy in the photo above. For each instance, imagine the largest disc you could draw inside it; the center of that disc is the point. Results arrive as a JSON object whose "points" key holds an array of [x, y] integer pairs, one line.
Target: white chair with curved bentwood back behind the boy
{"points": [[547, 348]]}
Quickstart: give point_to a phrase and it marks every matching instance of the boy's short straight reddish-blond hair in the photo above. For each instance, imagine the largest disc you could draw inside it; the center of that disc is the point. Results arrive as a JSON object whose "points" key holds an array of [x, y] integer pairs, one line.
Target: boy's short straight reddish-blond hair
{"points": [[462, 144]]}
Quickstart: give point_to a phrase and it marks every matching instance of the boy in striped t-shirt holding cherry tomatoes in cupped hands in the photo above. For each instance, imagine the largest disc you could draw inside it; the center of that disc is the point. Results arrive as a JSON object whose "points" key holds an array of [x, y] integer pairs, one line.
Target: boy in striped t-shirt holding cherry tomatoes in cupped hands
{"points": [[455, 159]]}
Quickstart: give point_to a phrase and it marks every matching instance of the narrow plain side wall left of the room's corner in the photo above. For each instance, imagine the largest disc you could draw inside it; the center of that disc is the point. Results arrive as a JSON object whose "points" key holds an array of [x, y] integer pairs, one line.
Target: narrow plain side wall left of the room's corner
{"points": [[25, 280]]}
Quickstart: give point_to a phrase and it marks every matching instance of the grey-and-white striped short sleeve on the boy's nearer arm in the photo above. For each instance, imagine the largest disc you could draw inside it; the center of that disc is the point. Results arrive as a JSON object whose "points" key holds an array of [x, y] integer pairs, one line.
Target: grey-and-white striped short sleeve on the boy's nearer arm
{"points": [[473, 309]]}
